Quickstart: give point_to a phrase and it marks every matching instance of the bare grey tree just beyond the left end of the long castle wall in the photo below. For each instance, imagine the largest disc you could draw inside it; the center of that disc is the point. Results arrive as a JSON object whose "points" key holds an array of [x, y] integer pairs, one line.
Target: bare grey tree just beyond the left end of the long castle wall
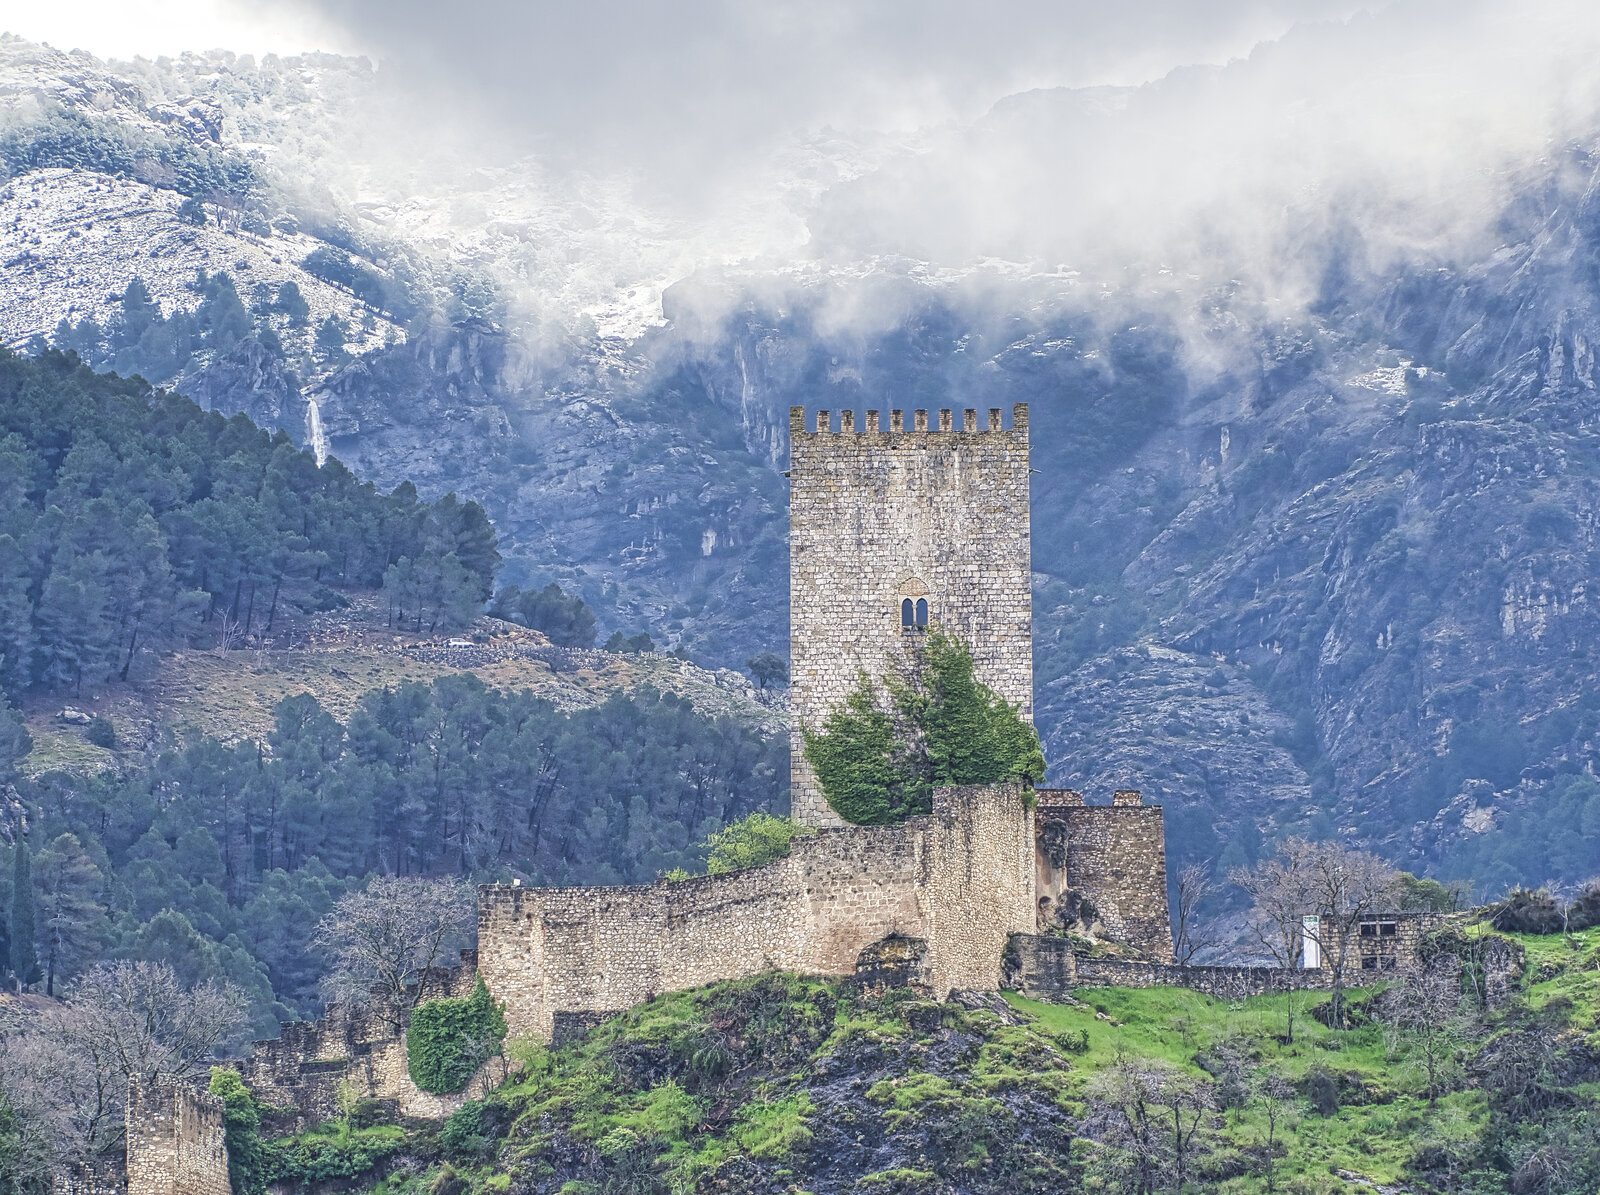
{"points": [[385, 938]]}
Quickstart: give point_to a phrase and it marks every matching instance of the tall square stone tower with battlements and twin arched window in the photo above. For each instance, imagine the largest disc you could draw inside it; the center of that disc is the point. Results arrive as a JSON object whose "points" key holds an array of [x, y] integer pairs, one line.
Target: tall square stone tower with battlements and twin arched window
{"points": [[892, 530]]}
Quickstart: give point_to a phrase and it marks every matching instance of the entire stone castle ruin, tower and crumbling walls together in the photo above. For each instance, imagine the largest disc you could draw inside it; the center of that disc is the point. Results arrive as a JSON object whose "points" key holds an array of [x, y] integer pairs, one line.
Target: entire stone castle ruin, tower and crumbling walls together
{"points": [[894, 530]]}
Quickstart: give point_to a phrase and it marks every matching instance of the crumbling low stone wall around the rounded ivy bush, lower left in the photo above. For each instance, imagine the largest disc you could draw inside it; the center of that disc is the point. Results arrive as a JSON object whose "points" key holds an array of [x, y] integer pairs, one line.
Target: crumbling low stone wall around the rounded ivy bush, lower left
{"points": [[306, 1065]]}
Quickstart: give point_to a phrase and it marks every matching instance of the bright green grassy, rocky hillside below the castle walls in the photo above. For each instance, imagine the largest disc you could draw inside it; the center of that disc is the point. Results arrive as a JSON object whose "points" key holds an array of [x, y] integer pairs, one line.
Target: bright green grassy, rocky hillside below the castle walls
{"points": [[793, 1085]]}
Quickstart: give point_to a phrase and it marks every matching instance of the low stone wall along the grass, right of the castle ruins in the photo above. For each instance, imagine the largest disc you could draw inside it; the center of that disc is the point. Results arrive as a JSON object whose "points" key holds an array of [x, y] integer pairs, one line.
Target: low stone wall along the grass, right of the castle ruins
{"points": [[1047, 969]]}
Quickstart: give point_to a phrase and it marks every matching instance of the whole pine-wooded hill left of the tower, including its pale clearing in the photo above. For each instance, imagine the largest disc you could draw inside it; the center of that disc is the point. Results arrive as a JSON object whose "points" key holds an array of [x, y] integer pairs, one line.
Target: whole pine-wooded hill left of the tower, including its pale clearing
{"points": [[137, 530]]}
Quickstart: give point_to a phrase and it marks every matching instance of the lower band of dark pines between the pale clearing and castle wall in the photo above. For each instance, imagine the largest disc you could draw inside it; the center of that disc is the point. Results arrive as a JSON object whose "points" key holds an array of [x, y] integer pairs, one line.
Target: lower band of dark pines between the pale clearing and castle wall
{"points": [[220, 858]]}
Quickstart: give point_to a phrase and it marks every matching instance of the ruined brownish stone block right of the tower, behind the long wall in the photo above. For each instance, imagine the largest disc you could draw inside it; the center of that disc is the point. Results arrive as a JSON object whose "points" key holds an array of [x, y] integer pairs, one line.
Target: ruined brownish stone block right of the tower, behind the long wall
{"points": [[1116, 857]]}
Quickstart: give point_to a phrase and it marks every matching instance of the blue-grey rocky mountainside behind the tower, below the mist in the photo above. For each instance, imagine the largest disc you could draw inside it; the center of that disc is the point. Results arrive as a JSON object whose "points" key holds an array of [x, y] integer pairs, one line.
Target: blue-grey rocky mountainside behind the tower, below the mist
{"points": [[1340, 585]]}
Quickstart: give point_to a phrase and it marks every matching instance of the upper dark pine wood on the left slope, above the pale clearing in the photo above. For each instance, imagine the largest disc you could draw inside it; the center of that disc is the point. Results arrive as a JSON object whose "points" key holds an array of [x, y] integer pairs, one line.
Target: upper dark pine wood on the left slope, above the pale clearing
{"points": [[132, 519]]}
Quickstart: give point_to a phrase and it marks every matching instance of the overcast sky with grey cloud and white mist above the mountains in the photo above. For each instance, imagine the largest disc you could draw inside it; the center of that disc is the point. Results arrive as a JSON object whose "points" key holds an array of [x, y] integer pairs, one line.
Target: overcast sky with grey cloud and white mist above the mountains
{"points": [[1406, 118]]}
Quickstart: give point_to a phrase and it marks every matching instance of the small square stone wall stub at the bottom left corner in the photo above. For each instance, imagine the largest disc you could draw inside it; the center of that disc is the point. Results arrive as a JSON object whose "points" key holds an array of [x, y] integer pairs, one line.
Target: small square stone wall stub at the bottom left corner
{"points": [[175, 1141]]}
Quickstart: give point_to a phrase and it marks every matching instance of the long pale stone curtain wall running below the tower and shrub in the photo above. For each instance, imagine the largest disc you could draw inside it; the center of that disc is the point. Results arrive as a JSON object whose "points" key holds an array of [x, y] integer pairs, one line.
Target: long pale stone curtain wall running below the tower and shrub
{"points": [[962, 879]]}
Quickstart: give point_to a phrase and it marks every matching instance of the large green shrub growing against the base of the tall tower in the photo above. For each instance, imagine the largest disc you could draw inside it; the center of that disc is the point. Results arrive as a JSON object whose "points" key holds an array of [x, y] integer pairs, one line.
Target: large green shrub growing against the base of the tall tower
{"points": [[879, 757]]}
